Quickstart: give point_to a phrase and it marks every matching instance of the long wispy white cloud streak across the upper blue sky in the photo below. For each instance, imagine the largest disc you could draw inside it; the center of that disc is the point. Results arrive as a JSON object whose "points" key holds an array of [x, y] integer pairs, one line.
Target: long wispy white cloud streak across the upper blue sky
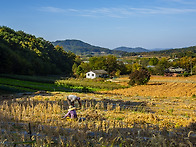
{"points": [[118, 12]]}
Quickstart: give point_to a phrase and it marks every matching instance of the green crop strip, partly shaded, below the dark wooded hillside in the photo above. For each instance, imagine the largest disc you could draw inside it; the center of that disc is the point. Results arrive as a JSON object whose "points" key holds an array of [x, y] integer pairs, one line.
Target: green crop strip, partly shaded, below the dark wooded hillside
{"points": [[20, 83]]}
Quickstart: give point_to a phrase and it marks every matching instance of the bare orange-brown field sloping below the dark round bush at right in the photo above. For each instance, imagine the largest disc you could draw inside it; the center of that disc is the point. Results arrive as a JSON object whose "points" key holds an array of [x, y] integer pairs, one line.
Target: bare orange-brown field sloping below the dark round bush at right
{"points": [[162, 87]]}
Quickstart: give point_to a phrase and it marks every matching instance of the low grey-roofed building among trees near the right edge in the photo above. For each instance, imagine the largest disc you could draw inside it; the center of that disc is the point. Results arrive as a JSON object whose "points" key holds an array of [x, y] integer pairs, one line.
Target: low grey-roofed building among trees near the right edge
{"points": [[172, 71]]}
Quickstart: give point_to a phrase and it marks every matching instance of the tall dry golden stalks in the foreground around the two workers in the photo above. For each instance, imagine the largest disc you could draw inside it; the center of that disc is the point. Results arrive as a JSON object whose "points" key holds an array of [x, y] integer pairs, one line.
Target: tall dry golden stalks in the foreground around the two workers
{"points": [[106, 124]]}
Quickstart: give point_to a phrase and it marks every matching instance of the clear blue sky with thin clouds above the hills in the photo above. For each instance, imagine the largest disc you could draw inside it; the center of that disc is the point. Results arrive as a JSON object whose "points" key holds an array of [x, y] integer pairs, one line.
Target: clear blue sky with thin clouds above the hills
{"points": [[106, 23]]}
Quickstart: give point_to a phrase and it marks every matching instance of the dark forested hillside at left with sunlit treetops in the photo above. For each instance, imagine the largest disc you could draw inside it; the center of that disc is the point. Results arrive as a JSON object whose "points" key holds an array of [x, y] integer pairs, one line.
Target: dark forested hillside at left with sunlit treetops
{"points": [[22, 53]]}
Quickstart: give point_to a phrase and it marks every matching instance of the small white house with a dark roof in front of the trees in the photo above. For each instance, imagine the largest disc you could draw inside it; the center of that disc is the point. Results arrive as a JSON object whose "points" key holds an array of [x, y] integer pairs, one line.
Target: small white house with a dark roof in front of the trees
{"points": [[96, 73]]}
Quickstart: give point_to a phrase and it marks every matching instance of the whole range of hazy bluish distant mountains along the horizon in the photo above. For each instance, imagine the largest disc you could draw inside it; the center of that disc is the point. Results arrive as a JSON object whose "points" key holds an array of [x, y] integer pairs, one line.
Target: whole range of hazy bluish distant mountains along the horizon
{"points": [[81, 48]]}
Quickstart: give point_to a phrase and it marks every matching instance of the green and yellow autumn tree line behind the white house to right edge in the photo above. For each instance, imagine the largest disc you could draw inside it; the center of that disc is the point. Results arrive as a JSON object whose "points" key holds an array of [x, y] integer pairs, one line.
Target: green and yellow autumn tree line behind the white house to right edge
{"points": [[116, 67]]}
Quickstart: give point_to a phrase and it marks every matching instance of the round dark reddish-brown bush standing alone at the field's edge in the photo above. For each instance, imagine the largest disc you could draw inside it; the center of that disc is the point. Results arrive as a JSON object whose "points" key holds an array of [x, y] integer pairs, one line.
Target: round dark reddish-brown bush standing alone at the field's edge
{"points": [[139, 77]]}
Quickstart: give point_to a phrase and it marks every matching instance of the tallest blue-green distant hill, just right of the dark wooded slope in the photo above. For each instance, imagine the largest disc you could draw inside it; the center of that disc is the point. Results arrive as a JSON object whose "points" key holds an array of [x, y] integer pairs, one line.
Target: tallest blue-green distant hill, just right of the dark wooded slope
{"points": [[79, 47]]}
